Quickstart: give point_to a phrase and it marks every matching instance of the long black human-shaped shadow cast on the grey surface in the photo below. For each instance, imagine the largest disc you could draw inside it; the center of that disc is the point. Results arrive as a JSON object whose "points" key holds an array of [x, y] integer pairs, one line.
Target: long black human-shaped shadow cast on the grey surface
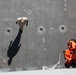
{"points": [[14, 47]]}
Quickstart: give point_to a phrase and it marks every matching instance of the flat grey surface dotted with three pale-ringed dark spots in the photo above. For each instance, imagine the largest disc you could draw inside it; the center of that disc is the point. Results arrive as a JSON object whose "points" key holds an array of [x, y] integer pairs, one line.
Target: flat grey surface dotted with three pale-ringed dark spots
{"points": [[39, 48]]}
